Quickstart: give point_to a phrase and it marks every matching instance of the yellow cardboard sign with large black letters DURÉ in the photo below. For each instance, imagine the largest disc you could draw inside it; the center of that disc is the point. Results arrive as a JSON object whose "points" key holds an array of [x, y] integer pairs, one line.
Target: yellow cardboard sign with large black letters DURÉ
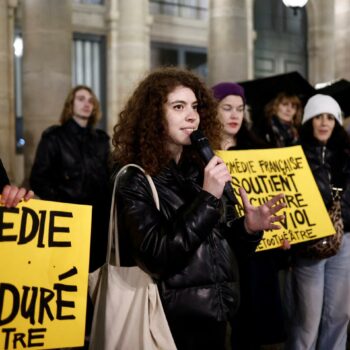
{"points": [[44, 257]]}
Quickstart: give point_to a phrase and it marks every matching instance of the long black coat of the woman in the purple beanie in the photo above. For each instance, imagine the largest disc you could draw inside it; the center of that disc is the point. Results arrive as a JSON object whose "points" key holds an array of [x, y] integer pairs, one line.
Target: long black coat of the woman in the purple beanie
{"points": [[260, 318]]}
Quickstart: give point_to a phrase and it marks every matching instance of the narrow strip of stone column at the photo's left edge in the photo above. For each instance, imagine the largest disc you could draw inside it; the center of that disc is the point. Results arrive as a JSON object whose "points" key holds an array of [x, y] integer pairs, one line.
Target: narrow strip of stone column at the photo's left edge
{"points": [[7, 112]]}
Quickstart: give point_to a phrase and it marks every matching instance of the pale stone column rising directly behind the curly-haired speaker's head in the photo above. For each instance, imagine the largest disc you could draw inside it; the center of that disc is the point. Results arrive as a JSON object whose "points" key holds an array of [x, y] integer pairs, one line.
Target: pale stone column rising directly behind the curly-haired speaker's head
{"points": [[133, 45]]}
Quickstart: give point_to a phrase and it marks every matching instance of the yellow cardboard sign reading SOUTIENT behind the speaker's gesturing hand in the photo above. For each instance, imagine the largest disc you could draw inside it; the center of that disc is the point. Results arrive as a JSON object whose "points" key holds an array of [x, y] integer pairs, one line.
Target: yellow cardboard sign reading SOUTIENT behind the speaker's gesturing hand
{"points": [[267, 172]]}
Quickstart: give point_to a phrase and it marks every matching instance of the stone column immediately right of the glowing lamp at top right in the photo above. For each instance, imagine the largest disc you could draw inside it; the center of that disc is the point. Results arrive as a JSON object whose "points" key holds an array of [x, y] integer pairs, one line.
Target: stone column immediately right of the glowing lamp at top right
{"points": [[321, 40]]}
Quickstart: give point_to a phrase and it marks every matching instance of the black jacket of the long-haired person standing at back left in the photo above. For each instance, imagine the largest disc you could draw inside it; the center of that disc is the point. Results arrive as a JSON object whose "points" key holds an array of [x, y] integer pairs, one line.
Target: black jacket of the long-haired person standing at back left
{"points": [[71, 164]]}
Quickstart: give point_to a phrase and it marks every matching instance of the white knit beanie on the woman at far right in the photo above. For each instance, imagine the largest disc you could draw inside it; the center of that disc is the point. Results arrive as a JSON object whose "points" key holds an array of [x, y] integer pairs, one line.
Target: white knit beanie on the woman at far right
{"points": [[320, 104]]}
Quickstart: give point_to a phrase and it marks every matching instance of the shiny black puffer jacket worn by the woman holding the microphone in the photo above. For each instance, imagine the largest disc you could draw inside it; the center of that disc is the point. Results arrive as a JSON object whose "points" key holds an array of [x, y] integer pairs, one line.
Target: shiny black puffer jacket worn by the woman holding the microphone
{"points": [[187, 246]]}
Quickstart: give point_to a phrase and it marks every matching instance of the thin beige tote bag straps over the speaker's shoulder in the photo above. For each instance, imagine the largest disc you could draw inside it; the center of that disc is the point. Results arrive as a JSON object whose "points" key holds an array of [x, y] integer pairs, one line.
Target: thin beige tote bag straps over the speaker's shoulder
{"points": [[113, 226]]}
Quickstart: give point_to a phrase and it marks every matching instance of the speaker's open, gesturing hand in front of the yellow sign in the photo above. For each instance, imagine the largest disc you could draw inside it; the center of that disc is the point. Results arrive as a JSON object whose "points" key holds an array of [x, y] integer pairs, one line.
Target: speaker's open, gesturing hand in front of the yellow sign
{"points": [[262, 217]]}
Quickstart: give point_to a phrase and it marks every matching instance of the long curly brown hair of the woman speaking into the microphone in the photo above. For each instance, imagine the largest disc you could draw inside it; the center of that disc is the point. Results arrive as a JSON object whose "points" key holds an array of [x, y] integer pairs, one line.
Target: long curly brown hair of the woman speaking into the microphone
{"points": [[141, 132]]}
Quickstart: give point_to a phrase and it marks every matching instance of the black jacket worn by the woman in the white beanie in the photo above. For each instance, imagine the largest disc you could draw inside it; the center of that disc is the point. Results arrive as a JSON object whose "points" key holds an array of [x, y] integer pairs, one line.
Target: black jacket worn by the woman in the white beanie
{"points": [[330, 167]]}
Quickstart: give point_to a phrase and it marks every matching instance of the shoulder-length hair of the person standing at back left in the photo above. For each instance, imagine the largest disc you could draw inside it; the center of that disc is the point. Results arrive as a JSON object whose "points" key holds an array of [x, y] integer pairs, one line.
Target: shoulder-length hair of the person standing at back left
{"points": [[67, 111]]}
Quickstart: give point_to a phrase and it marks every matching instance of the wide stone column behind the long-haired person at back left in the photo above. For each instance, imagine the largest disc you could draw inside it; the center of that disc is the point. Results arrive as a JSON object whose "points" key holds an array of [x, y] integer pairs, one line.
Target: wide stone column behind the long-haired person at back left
{"points": [[47, 41]]}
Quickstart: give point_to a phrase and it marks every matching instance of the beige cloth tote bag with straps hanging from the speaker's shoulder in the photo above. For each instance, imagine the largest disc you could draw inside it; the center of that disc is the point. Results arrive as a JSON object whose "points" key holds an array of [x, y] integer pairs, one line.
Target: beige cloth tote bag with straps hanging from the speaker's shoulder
{"points": [[128, 313]]}
